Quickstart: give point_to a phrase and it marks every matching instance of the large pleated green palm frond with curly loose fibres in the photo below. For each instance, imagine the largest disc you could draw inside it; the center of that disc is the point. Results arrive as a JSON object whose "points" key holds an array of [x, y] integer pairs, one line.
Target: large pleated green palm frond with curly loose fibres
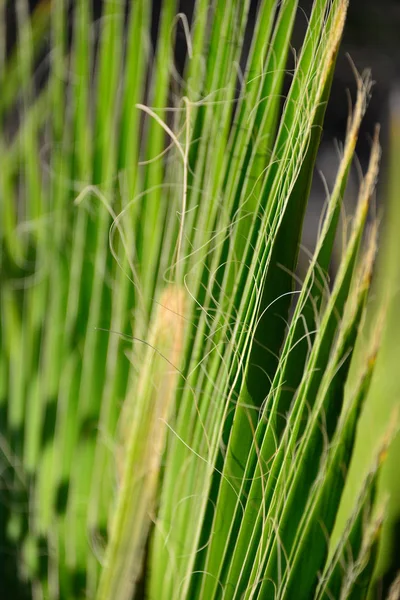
{"points": [[168, 405]]}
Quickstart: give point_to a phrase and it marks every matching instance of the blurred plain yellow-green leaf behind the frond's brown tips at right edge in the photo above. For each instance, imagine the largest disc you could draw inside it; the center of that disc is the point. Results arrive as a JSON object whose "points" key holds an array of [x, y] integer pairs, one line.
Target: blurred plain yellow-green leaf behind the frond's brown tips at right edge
{"points": [[383, 400]]}
